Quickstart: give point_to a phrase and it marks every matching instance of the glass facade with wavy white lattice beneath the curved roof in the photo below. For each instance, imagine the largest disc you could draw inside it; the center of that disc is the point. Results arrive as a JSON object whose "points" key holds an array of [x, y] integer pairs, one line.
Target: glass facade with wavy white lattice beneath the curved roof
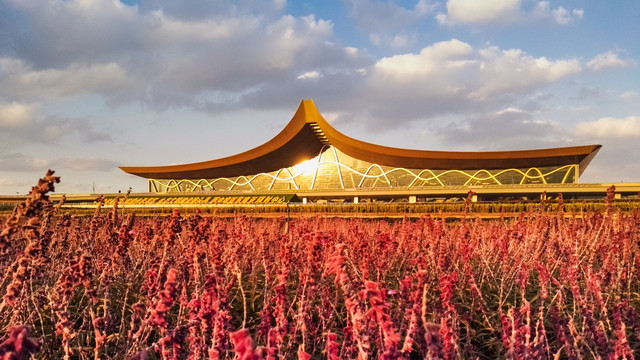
{"points": [[332, 170]]}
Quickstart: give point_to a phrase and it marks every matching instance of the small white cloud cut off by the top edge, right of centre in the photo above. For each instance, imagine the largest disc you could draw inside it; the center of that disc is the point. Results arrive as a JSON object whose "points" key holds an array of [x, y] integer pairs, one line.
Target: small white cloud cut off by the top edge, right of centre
{"points": [[480, 12]]}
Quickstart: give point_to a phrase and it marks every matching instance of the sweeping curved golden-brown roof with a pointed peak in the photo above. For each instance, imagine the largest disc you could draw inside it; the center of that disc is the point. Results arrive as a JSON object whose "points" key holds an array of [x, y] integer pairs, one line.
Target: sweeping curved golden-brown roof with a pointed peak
{"points": [[307, 132]]}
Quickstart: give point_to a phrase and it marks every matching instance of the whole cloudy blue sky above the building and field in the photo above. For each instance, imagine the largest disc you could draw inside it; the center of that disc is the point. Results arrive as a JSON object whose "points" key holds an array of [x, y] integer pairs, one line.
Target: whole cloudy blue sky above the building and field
{"points": [[90, 85]]}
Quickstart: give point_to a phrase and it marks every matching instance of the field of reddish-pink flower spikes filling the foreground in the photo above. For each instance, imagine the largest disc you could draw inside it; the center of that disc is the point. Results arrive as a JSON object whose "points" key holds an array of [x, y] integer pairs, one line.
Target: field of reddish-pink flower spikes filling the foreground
{"points": [[544, 285]]}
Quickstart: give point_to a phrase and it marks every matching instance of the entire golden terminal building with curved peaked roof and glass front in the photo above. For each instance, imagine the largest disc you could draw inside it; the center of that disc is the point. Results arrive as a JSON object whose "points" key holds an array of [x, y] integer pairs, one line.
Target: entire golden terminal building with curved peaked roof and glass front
{"points": [[312, 160]]}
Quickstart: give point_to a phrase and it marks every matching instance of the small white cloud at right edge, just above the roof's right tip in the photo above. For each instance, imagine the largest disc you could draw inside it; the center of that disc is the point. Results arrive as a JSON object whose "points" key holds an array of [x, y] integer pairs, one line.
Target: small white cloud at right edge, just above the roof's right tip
{"points": [[610, 128]]}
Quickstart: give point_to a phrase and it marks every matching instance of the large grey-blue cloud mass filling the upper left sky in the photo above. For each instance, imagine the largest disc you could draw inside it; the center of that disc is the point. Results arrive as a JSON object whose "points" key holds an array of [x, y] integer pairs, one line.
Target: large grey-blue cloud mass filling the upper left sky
{"points": [[159, 55]]}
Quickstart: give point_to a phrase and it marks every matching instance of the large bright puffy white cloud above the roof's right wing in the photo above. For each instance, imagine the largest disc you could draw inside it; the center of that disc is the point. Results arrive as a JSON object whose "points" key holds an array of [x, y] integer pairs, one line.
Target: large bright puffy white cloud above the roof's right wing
{"points": [[452, 76]]}
